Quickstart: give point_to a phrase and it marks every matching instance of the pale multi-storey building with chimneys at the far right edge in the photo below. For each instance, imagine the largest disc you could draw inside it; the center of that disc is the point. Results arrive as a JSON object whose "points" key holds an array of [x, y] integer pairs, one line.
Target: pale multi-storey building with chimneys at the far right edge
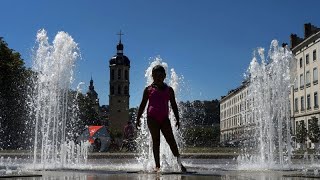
{"points": [[304, 96]]}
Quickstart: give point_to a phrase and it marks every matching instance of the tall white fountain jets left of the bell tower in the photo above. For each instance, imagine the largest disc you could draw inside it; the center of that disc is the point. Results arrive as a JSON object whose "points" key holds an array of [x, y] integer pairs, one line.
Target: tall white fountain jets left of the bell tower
{"points": [[53, 105]]}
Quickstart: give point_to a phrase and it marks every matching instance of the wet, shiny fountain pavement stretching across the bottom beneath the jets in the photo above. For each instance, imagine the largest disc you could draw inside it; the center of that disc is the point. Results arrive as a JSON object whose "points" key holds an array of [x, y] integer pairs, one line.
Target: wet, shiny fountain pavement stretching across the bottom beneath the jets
{"points": [[129, 168]]}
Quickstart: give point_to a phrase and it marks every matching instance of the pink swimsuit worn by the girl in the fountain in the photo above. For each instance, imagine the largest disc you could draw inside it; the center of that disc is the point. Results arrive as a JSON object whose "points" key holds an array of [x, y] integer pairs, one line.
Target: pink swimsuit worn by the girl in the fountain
{"points": [[158, 107]]}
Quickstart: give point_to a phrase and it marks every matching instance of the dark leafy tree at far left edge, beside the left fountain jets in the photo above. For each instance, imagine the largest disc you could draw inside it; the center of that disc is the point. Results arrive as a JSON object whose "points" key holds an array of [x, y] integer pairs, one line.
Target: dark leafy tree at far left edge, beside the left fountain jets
{"points": [[14, 83]]}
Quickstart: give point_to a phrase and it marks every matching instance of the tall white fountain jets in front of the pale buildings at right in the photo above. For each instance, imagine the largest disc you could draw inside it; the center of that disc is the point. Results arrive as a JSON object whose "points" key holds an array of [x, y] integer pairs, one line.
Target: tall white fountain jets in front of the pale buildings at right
{"points": [[268, 95]]}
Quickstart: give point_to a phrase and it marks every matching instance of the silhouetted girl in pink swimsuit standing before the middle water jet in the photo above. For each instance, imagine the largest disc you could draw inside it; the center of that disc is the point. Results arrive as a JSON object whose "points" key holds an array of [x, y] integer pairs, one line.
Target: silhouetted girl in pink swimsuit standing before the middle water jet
{"points": [[159, 94]]}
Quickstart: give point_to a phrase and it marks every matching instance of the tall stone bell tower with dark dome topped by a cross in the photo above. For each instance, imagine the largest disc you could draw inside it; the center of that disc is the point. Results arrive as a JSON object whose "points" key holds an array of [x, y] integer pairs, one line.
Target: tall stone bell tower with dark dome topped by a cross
{"points": [[119, 91]]}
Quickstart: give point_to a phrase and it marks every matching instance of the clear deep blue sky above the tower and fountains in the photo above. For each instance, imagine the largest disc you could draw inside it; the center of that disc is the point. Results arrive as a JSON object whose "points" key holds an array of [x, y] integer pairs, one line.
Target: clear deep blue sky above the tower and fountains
{"points": [[209, 42]]}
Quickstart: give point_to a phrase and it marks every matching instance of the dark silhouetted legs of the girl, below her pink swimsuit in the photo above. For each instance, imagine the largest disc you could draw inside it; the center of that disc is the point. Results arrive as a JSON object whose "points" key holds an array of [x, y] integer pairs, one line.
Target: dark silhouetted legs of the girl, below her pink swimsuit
{"points": [[166, 130]]}
